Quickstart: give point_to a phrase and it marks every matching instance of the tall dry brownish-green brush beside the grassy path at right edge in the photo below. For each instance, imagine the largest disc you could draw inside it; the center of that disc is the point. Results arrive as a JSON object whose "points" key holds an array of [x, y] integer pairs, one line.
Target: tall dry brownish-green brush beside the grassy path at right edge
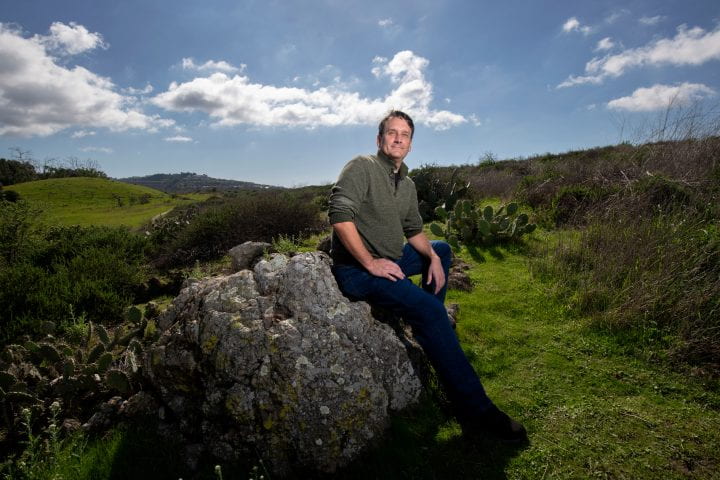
{"points": [[652, 275]]}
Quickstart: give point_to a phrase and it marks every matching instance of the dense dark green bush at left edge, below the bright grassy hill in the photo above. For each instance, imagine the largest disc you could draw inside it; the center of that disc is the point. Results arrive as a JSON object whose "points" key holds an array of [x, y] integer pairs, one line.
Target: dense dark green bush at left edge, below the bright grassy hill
{"points": [[64, 272]]}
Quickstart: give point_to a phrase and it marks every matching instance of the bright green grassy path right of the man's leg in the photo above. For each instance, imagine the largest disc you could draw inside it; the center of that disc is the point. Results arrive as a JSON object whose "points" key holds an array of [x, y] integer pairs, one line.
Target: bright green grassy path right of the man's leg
{"points": [[591, 411]]}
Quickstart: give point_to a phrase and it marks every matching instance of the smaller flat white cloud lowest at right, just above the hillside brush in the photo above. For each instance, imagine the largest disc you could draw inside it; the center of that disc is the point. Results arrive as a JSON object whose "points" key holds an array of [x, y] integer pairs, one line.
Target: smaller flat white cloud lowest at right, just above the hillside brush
{"points": [[660, 97]]}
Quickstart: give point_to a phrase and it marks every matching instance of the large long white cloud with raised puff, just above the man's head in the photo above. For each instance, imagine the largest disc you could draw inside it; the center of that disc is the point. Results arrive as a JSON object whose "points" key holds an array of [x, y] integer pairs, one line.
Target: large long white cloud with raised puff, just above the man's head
{"points": [[235, 100]]}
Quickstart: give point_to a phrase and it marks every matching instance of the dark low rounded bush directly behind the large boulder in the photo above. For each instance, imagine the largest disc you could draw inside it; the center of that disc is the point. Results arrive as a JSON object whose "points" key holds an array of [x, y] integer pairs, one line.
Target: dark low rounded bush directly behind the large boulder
{"points": [[258, 217]]}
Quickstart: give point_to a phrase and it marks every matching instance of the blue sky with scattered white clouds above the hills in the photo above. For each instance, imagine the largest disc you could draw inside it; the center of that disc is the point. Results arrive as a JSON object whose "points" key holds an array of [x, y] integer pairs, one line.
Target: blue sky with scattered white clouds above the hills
{"points": [[286, 92]]}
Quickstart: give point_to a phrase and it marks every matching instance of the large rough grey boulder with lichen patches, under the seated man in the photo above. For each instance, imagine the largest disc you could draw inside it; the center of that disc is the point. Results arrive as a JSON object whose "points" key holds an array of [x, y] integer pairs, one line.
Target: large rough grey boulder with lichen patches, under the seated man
{"points": [[276, 360]]}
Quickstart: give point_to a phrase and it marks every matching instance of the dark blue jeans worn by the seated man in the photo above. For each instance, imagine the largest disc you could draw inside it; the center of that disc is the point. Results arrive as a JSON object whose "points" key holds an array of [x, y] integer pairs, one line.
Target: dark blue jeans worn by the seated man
{"points": [[425, 312]]}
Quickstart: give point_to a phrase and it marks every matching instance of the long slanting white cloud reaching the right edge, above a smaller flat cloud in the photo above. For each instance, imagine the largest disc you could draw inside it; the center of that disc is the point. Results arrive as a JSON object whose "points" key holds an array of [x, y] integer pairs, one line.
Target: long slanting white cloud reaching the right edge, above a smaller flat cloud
{"points": [[693, 46]]}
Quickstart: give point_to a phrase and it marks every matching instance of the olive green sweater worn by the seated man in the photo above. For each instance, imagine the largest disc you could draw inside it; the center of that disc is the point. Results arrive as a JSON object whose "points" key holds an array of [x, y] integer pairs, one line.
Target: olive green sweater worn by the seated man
{"points": [[384, 210]]}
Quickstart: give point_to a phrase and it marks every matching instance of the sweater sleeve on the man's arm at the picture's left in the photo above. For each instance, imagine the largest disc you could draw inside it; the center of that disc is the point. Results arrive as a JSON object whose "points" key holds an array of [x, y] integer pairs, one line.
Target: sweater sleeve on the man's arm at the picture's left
{"points": [[348, 192]]}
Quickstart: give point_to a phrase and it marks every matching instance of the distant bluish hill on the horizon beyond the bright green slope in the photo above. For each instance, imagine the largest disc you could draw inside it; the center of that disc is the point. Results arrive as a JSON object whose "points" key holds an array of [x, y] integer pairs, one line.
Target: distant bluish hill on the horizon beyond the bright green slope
{"points": [[188, 182]]}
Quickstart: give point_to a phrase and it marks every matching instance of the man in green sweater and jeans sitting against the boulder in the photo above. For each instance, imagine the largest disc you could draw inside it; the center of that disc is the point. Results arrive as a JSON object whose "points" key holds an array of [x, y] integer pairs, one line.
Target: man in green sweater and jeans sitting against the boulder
{"points": [[373, 208]]}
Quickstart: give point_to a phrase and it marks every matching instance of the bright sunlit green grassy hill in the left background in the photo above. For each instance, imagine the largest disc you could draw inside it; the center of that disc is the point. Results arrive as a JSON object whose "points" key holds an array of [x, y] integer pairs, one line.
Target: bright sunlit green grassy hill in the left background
{"points": [[98, 201]]}
